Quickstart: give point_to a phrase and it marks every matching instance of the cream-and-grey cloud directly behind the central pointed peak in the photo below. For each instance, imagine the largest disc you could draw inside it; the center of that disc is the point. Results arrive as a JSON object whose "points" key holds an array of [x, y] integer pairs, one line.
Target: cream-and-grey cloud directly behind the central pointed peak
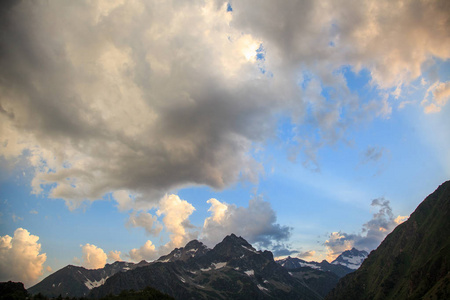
{"points": [[256, 223]]}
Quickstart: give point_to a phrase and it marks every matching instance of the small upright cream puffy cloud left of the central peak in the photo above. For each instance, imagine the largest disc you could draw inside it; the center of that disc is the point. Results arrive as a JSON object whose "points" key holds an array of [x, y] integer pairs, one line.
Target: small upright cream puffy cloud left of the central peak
{"points": [[176, 219]]}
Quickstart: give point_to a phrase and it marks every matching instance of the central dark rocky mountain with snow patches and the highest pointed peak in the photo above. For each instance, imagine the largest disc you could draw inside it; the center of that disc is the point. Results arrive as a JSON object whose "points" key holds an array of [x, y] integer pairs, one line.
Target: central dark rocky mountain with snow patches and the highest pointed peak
{"points": [[233, 269]]}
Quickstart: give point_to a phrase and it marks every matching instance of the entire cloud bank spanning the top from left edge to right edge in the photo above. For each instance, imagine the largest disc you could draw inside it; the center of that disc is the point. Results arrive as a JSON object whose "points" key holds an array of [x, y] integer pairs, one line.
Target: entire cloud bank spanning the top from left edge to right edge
{"points": [[148, 97]]}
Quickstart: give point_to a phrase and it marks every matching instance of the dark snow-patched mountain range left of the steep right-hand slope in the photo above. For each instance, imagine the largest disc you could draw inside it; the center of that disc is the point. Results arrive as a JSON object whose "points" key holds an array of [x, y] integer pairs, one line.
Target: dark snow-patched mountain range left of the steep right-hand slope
{"points": [[232, 269]]}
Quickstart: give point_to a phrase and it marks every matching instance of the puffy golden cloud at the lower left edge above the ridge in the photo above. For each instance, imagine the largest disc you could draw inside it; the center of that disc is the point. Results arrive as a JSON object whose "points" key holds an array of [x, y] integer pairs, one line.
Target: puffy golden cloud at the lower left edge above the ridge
{"points": [[20, 258]]}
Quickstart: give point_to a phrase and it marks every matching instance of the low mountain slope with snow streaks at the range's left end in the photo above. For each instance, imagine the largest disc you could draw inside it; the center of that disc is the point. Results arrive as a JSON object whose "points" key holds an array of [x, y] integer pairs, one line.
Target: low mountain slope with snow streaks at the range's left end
{"points": [[76, 281]]}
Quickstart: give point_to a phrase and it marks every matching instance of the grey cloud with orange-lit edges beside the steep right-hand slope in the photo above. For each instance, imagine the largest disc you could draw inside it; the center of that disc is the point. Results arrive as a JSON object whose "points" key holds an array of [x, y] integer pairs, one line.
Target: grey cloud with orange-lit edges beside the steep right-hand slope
{"points": [[372, 234]]}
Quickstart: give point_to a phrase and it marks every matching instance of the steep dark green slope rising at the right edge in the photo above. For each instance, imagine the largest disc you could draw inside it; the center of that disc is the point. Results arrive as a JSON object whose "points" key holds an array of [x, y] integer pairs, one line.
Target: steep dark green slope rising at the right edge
{"points": [[413, 262]]}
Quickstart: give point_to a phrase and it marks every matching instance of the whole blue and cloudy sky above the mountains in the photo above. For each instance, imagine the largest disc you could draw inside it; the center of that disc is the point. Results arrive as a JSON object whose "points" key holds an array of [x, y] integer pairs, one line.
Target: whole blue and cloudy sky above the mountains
{"points": [[129, 128]]}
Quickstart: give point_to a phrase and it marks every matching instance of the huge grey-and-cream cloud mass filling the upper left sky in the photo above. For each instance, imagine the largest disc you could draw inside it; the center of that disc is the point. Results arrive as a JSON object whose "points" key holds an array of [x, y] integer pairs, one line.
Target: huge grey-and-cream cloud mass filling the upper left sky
{"points": [[104, 67]]}
